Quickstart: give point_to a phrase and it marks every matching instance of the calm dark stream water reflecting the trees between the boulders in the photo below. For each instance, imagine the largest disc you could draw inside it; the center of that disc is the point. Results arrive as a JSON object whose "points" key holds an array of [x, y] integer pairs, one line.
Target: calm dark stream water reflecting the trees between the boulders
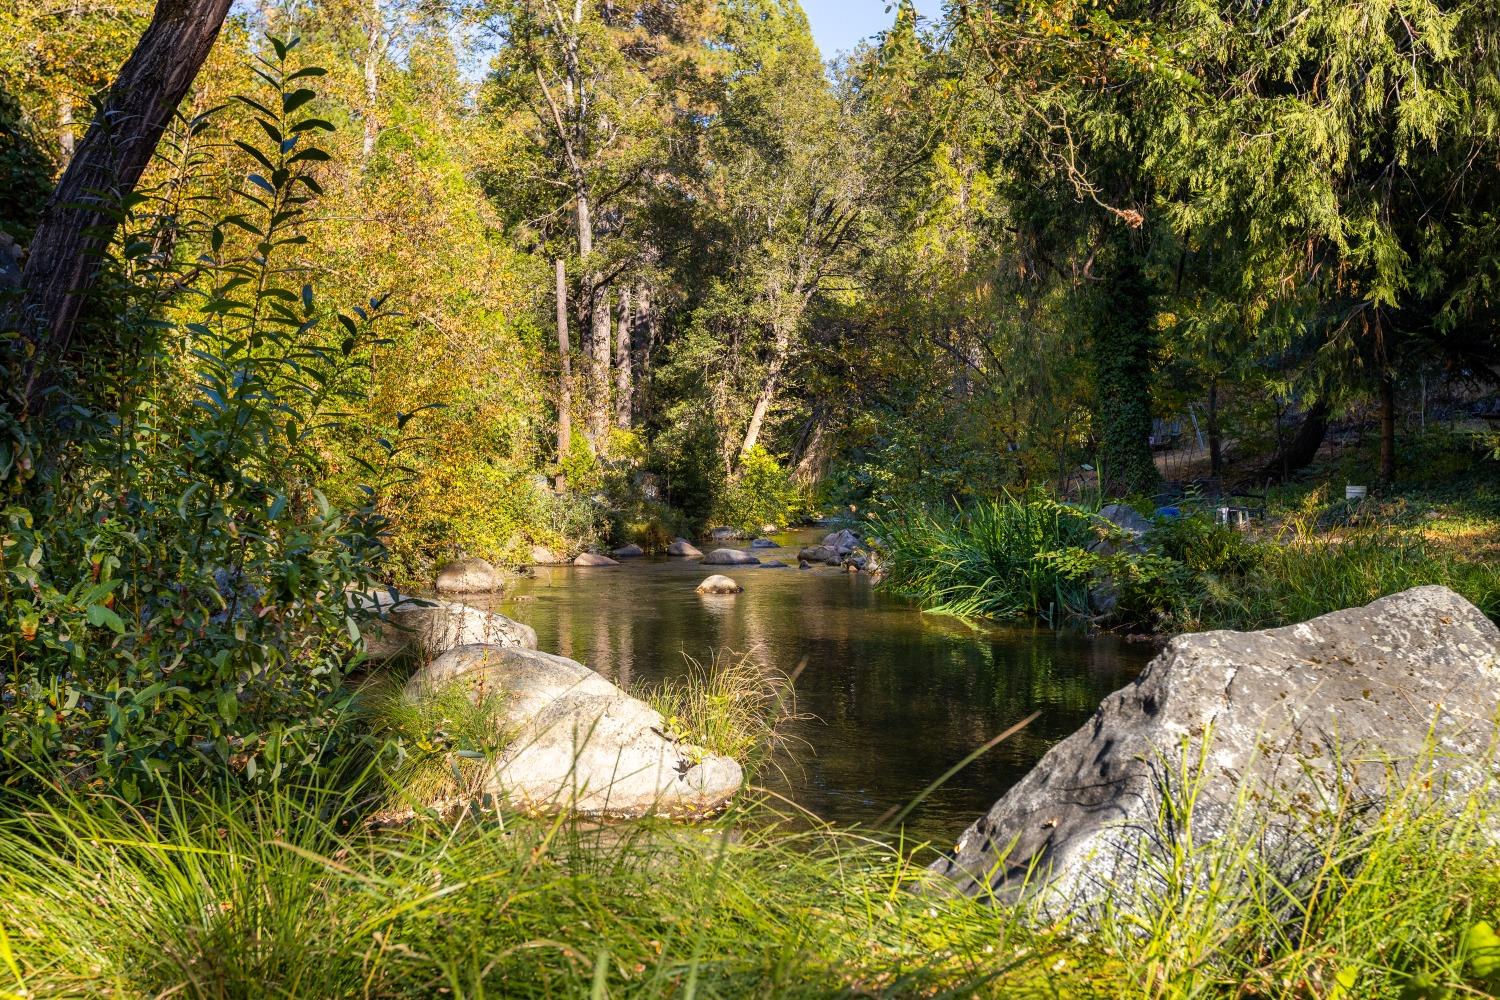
{"points": [[898, 696]]}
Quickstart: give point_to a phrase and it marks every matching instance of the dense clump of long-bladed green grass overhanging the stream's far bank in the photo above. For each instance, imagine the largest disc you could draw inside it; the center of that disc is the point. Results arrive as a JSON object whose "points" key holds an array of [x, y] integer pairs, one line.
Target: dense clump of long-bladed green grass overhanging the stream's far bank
{"points": [[985, 560]]}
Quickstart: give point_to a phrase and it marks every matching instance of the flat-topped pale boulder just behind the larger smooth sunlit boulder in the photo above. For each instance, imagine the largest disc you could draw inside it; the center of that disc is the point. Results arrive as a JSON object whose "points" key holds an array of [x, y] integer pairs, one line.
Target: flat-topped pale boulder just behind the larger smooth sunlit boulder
{"points": [[424, 629]]}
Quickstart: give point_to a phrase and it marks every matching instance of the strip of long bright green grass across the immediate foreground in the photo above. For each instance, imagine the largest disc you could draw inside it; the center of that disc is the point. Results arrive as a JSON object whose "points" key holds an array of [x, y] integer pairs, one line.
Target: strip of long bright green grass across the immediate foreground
{"points": [[220, 893]]}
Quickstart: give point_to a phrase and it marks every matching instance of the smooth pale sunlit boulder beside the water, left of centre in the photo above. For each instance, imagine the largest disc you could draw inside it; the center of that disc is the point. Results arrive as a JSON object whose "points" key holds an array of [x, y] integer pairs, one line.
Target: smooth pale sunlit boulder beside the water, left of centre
{"points": [[577, 743]]}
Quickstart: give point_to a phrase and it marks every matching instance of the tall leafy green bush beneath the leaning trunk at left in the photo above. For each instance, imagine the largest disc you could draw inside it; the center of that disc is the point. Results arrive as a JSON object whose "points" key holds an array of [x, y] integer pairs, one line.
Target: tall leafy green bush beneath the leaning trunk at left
{"points": [[173, 588]]}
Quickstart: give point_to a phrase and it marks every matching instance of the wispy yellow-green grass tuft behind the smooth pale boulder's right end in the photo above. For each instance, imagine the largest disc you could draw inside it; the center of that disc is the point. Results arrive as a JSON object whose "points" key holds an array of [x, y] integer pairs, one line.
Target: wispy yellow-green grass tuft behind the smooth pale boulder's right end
{"points": [[731, 705]]}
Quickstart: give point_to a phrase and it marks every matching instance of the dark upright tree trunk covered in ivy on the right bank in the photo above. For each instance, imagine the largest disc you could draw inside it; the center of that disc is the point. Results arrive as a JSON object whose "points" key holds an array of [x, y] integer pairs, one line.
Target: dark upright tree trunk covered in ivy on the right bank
{"points": [[1123, 350]]}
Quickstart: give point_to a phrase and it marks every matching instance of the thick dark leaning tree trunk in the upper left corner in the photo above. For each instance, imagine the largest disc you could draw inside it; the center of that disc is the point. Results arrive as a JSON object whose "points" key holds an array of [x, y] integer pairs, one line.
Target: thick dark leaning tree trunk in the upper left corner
{"points": [[82, 215]]}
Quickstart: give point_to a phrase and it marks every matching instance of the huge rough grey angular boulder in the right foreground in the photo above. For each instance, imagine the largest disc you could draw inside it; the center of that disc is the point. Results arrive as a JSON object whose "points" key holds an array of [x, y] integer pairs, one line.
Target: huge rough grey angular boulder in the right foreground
{"points": [[1276, 732]]}
